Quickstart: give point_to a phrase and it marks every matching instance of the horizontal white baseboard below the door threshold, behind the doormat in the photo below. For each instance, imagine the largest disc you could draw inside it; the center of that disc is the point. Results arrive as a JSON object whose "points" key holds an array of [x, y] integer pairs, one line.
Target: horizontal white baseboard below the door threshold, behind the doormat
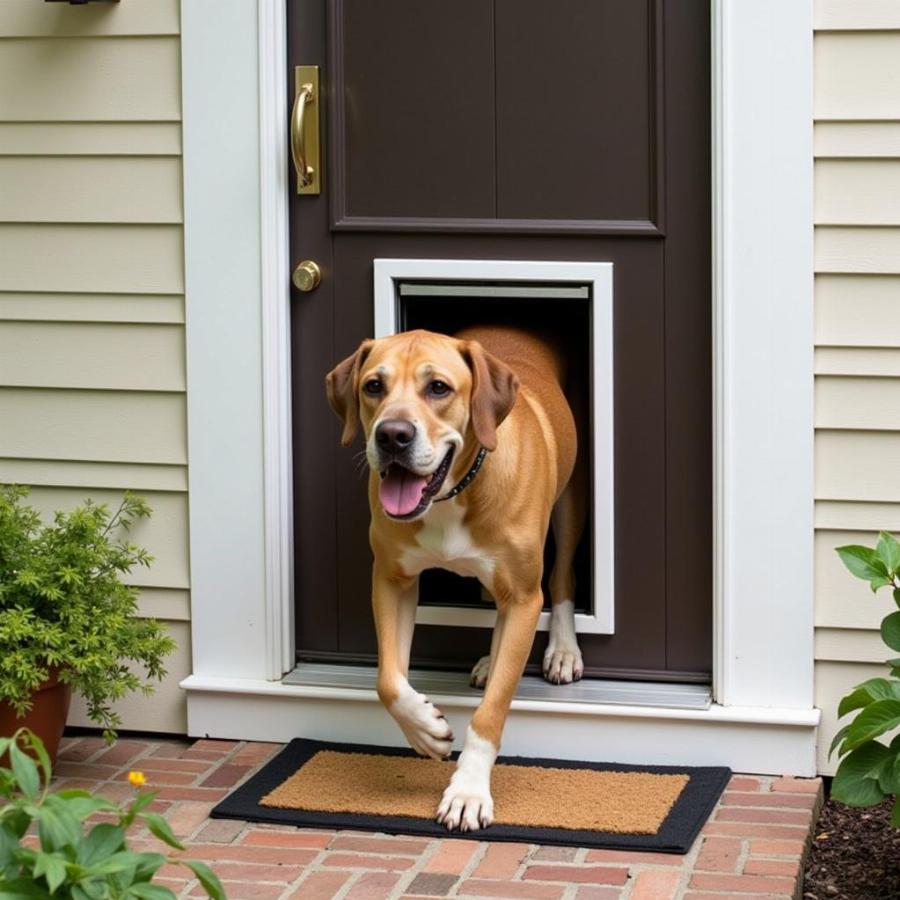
{"points": [[748, 739]]}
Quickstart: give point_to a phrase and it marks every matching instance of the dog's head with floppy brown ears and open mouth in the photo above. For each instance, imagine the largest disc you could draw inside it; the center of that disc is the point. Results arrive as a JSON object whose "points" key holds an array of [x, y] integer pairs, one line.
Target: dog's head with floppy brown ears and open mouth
{"points": [[419, 397]]}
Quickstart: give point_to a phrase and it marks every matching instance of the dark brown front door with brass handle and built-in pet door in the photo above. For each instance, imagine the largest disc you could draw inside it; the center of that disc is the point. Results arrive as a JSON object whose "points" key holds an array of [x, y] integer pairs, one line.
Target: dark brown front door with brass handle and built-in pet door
{"points": [[516, 129]]}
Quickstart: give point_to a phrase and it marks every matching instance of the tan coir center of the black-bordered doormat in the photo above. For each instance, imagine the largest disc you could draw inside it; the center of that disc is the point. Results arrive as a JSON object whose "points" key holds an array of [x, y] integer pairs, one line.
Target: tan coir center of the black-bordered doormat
{"points": [[576, 799]]}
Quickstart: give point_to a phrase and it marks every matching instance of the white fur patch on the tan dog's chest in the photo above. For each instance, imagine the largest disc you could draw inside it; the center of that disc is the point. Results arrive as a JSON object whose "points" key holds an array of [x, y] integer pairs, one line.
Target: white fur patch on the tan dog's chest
{"points": [[444, 542]]}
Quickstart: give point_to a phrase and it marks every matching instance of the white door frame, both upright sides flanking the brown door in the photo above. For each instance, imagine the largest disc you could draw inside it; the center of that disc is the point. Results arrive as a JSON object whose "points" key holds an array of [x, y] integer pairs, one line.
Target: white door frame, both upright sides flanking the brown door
{"points": [[237, 307]]}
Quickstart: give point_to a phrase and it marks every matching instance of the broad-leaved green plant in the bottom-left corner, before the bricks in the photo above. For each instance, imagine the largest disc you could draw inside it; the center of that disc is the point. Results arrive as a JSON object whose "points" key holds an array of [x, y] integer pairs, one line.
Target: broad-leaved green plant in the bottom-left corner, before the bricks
{"points": [[74, 859]]}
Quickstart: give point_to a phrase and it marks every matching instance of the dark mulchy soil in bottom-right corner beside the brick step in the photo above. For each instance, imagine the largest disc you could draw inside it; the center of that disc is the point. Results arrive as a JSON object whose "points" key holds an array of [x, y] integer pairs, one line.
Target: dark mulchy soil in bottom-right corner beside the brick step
{"points": [[855, 855]]}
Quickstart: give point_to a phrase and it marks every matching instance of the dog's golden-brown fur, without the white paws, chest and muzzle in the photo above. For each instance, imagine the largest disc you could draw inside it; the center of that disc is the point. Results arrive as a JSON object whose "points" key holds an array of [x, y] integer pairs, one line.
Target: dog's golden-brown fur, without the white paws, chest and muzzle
{"points": [[507, 397]]}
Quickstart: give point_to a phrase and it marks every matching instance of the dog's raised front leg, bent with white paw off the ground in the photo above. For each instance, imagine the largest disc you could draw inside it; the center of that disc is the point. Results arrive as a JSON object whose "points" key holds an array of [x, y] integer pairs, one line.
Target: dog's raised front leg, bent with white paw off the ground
{"points": [[394, 600]]}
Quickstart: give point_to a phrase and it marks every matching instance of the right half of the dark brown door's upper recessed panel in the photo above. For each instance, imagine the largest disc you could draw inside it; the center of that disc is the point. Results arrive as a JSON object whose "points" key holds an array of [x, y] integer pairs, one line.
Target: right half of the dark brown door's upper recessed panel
{"points": [[572, 141]]}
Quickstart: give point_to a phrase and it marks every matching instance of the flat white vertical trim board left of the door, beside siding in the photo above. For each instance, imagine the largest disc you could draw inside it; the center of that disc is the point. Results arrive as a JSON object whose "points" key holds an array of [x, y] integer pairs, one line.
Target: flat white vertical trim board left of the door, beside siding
{"points": [[223, 239]]}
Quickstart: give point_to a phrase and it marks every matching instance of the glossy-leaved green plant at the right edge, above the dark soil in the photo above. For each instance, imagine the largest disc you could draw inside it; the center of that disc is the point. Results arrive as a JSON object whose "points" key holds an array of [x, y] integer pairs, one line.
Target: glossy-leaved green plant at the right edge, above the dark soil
{"points": [[870, 769]]}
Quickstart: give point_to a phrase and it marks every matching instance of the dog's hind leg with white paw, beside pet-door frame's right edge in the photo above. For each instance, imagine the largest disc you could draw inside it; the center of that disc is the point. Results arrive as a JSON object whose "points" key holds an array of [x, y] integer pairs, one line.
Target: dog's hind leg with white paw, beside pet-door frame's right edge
{"points": [[562, 660]]}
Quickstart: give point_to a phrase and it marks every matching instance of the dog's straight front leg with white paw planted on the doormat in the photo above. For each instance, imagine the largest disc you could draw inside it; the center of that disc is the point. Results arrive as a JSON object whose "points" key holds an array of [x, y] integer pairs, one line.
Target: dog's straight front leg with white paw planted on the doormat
{"points": [[467, 802]]}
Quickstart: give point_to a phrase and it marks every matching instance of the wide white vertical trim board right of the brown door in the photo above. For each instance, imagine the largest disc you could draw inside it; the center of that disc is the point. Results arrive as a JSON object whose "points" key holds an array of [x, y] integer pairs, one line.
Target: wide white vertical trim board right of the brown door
{"points": [[763, 334]]}
